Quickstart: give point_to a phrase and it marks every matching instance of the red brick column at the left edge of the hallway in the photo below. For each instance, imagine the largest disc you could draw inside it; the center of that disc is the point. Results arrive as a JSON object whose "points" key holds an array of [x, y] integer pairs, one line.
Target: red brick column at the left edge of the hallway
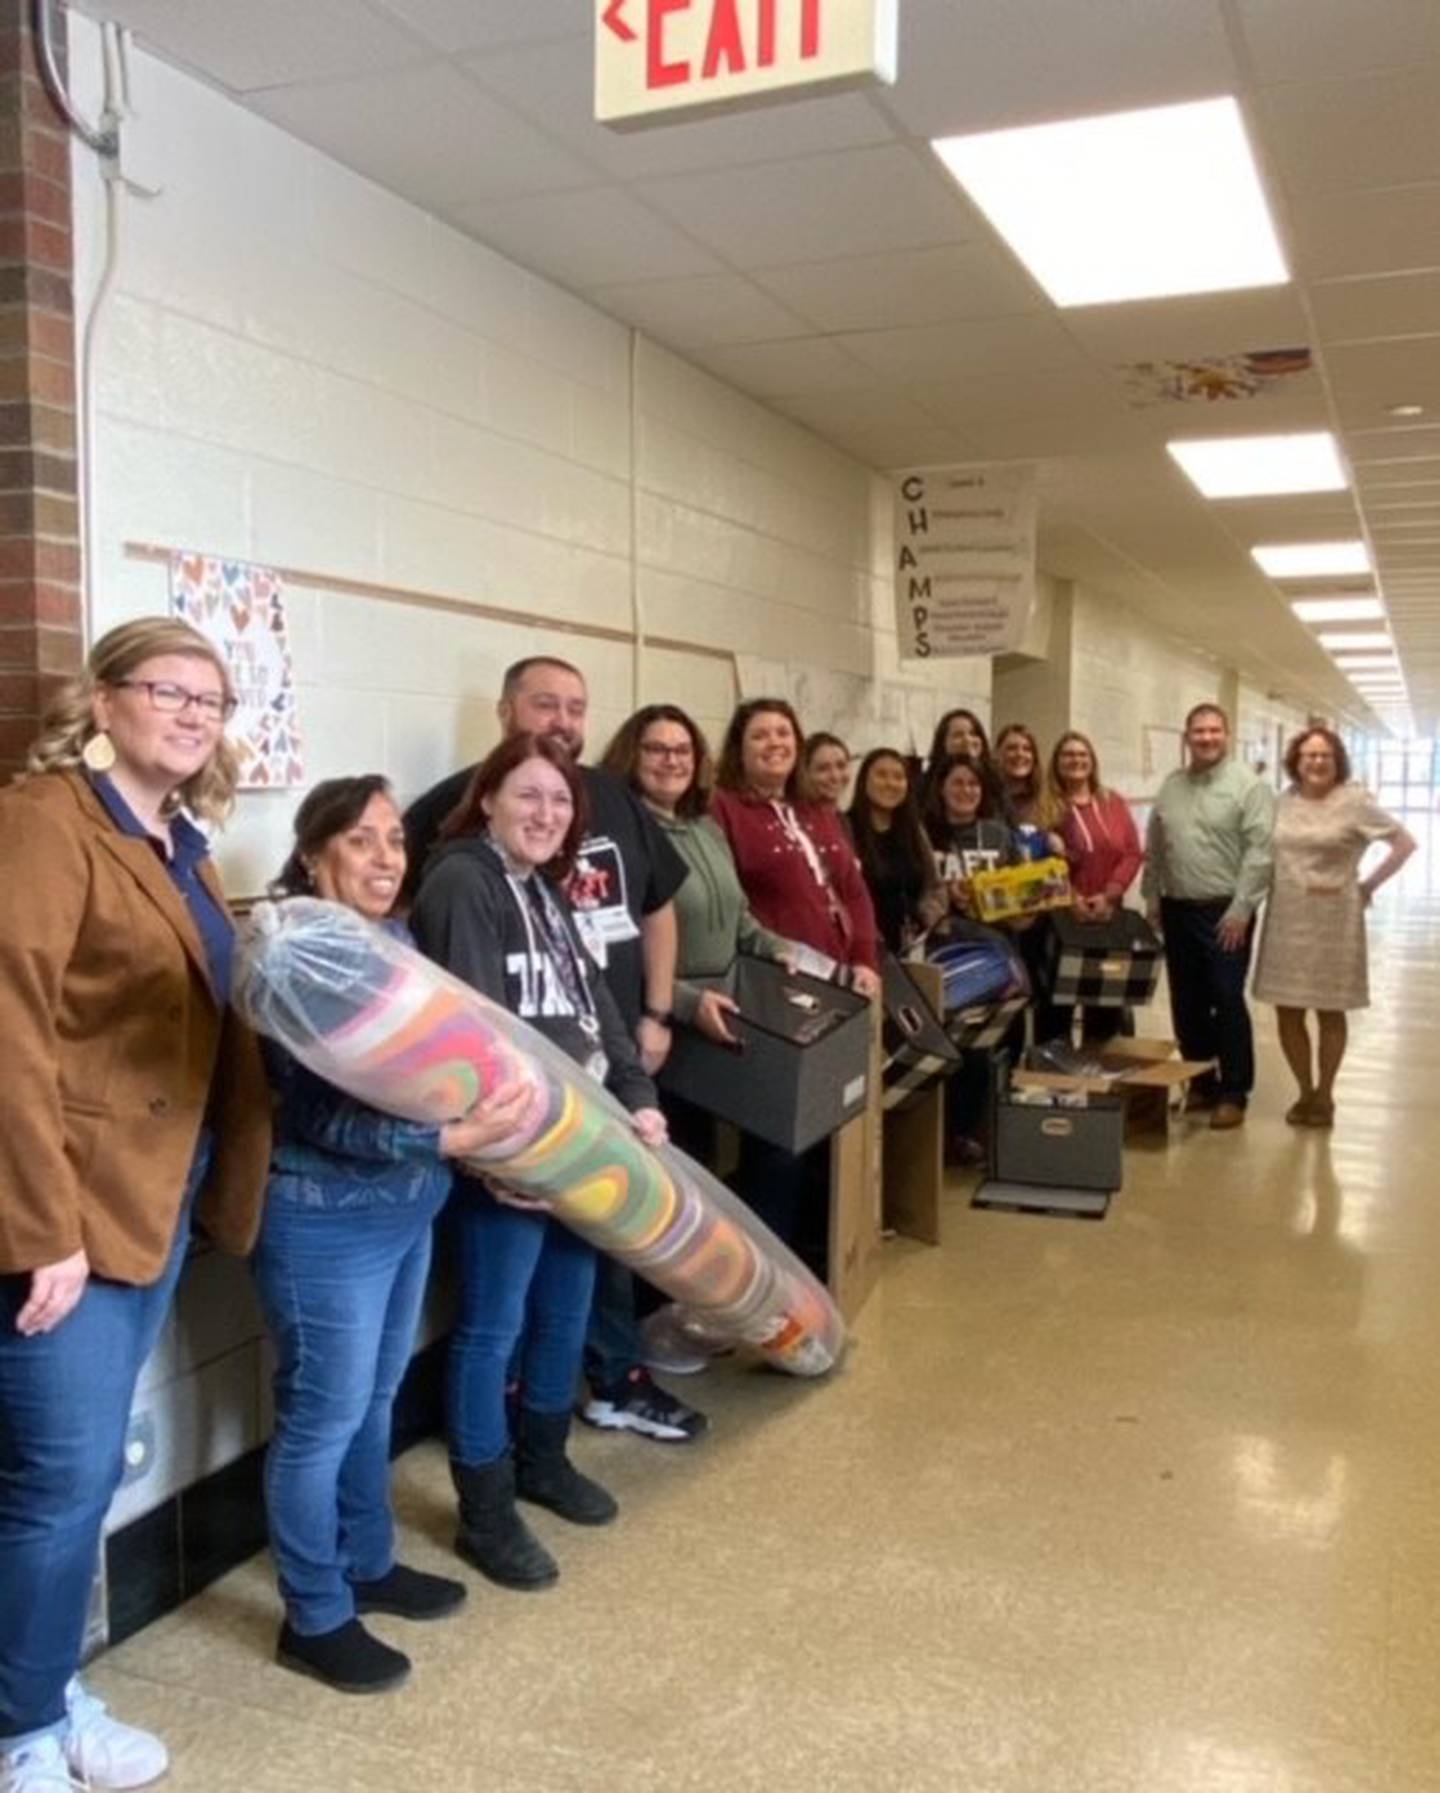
{"points": [[40, 548]]}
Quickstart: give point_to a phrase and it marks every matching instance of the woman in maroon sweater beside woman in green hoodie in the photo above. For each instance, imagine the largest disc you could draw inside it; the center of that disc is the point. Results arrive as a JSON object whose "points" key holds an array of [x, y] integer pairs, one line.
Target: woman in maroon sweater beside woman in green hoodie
{"points": [[795, 860]]}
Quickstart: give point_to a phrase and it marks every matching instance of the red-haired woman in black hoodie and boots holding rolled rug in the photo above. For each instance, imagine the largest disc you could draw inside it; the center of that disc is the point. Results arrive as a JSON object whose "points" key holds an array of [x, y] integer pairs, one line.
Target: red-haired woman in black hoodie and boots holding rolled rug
{"points": [[492, 912]]}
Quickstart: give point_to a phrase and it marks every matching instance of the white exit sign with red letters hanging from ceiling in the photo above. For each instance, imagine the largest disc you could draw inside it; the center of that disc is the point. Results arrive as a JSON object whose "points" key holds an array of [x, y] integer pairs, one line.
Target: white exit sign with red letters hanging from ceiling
{"points": [[664, 60]]}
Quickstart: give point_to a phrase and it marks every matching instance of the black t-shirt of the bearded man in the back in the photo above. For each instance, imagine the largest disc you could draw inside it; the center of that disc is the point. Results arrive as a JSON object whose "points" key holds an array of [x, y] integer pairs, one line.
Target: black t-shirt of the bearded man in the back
{"points": [[627, 871]]}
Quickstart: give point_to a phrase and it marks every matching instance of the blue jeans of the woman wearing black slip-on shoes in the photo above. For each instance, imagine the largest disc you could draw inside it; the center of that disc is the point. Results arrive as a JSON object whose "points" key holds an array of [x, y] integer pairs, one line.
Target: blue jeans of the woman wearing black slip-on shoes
{"points": [[342, 1292]]}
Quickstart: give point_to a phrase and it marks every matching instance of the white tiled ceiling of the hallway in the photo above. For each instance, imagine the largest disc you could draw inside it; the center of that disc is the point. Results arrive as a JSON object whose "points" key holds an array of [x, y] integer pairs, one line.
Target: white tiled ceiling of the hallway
{"points": [[819, 257]]}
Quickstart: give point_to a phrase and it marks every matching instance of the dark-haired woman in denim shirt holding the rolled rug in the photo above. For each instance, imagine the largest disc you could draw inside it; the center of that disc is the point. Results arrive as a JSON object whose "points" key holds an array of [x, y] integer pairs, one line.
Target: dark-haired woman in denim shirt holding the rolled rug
{"points": [[342, 1265]]}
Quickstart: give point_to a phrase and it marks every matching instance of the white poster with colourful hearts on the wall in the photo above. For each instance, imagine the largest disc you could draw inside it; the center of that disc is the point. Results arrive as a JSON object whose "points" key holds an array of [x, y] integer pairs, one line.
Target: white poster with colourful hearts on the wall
{"points": [[241, 609]]}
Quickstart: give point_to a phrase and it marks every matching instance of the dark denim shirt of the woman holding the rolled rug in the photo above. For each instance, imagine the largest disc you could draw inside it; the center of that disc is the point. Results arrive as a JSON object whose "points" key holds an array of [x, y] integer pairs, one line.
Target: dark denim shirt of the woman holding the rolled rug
{"points": [[333, 1152]]}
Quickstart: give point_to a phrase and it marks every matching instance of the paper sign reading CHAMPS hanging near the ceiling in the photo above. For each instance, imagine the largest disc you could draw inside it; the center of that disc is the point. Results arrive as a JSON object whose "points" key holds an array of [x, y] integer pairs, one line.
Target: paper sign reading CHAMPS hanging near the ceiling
{"points": [[964, 560]]}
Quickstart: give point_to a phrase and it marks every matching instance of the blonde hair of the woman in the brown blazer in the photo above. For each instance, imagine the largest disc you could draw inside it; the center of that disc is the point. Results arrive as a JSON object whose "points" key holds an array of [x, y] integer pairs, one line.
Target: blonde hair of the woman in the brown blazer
{"points": [[69, 722]]}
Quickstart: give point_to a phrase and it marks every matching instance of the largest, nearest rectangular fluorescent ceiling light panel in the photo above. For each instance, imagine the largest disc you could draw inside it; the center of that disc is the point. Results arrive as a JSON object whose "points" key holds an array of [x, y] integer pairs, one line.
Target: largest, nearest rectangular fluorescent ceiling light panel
{"points": [[1138, 205]]}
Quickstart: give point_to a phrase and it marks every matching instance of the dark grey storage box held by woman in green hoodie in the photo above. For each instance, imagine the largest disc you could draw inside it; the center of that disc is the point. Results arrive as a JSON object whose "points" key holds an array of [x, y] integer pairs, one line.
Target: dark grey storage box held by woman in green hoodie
{"points": [[802, 1068]]}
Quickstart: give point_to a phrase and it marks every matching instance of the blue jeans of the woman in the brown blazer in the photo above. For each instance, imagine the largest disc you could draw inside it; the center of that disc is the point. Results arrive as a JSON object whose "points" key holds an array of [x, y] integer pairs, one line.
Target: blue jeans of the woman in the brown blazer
{"points": [[65, 1399]]}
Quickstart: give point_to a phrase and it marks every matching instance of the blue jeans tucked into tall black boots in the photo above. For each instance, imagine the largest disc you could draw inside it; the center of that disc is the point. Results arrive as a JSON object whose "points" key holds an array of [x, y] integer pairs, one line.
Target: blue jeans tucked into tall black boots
{"points": [[526, 1286]]}
